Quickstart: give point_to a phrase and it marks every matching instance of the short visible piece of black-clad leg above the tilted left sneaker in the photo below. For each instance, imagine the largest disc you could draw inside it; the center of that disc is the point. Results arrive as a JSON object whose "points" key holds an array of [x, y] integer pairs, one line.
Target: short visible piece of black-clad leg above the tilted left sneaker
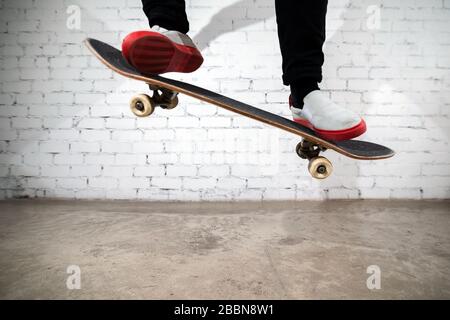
{"points": [[168, 14]]}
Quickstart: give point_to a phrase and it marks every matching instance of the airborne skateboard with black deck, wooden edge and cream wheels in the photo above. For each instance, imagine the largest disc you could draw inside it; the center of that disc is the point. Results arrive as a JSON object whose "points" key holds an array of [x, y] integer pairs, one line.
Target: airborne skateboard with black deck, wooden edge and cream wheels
{"points": [[164, 94]]}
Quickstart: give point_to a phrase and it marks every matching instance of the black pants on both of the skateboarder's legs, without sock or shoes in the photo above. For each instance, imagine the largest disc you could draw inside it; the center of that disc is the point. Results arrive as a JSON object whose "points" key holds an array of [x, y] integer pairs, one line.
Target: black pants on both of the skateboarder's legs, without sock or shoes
{"points": [[301, 32]]}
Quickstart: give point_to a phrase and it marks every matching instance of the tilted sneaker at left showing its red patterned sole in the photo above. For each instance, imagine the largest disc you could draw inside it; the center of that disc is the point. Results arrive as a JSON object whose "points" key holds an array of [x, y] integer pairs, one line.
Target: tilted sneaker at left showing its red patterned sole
{"points": [[159, 51]]}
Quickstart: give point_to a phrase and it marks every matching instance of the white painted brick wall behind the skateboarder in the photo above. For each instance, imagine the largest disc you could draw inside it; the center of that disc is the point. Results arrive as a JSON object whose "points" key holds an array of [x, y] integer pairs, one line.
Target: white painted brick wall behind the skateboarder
{"points": [[66, 130]]}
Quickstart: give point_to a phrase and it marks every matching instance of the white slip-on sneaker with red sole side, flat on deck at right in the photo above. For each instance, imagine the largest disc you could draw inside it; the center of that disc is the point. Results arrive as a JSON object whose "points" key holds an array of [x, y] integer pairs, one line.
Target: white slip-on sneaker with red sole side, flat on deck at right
{"points": [[329, 120]]}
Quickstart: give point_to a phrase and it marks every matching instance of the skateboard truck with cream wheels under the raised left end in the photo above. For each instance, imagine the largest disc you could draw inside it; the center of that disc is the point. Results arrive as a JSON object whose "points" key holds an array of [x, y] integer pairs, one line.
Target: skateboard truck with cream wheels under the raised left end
{"points": [[143, 105]]}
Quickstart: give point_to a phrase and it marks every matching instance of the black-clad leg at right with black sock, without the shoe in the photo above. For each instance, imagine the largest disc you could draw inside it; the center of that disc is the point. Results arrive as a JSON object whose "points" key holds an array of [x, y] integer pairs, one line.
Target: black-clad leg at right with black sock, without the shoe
{"points": [[301, 32]]}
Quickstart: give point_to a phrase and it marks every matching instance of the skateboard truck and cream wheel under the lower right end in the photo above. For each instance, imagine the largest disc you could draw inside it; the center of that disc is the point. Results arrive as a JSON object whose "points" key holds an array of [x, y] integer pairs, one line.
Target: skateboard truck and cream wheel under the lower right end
{"points": [[319, 167]]}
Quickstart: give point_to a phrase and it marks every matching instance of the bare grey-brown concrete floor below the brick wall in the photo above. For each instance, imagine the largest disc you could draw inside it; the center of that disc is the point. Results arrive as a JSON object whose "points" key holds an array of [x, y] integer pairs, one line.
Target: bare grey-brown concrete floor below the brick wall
{"points": [[285, 250]]}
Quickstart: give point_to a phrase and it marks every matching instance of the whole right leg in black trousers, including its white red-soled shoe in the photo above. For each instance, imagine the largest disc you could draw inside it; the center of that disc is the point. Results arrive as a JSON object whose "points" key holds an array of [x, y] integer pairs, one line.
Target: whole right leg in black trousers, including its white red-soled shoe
{"points": [[301, 31]]}
